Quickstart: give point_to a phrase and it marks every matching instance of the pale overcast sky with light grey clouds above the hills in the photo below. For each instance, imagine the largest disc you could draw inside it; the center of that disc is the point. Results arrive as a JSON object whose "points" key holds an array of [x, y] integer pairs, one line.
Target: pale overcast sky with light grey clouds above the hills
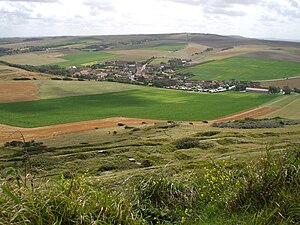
{"points": [[251, 18]]}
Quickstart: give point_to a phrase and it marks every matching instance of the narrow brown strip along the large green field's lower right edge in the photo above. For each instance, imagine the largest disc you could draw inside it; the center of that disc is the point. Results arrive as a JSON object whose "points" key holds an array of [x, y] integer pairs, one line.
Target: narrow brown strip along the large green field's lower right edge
{"points": [[253, 113]]}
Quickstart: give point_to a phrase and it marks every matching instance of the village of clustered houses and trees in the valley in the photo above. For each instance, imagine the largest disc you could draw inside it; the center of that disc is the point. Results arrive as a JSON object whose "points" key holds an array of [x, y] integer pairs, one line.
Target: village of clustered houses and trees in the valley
{"points": [[162, 75]]}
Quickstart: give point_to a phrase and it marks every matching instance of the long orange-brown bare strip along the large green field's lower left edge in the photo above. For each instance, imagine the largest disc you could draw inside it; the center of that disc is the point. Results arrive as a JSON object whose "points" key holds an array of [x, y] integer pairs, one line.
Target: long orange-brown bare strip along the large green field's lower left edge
{"points": [[9, 133]]}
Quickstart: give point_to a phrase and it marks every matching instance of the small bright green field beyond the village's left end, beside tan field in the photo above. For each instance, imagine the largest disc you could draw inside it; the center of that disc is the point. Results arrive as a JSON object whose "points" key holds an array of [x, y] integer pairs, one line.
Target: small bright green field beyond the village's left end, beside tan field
{"points": [[79, 59]]}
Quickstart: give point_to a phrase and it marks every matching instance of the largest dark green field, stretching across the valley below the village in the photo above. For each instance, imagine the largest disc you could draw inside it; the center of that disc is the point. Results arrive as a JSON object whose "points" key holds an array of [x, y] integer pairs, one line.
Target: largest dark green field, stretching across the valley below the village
{"points": [[144, 103]]}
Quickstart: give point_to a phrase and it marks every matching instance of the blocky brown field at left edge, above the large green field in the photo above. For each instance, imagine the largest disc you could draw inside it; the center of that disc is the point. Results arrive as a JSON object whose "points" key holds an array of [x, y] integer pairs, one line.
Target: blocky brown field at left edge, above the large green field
{"points": [[16, 91]]}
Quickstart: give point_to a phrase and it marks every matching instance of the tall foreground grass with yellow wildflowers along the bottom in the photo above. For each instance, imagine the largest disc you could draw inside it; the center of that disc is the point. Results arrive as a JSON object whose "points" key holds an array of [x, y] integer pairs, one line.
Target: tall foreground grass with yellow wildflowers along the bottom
{"points": [[262, 191]]}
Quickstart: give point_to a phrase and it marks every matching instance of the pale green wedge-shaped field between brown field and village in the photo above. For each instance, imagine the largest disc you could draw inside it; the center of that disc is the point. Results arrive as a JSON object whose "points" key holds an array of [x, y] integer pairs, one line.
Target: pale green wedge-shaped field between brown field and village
{"points": [[58, 89]]}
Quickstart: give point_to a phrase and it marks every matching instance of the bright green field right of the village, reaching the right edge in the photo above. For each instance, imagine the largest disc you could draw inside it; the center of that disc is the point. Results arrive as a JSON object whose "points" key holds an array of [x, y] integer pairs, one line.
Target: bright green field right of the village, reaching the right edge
{"points": [[242, 68]]}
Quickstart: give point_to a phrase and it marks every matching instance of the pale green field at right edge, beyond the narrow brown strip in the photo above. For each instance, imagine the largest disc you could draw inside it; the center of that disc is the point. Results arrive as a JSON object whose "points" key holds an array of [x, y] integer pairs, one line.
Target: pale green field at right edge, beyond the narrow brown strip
{"points": [[285, 107]]}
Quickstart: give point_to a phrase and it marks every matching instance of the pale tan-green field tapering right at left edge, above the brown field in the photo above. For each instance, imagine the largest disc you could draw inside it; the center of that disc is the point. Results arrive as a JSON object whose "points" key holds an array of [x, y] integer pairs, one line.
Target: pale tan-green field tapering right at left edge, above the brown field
{"points": [[8, 73]]}
